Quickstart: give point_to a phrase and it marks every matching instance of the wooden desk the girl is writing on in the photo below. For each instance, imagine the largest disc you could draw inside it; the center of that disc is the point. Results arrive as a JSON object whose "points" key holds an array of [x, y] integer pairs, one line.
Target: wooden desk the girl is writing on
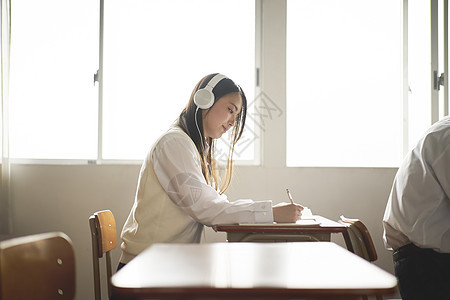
{"points": [[282, 232]]}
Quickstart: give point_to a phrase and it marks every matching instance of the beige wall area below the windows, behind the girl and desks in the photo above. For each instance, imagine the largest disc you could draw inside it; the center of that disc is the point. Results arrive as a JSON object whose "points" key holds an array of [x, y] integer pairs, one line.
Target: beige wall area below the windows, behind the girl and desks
{"points": [[61, 198]]}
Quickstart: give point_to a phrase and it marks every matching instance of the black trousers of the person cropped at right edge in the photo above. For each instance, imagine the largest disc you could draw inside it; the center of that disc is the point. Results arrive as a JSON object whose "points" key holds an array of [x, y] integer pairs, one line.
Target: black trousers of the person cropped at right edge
{"points": [[422, 273]]}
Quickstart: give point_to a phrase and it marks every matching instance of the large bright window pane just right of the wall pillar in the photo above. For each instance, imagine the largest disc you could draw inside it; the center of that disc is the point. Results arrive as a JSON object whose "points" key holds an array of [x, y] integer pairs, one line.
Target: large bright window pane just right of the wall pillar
{"points": [[344, 100]]}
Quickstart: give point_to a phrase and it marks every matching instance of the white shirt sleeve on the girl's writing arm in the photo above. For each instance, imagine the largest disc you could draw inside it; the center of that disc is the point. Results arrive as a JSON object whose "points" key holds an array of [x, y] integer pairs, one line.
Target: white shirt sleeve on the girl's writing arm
{"points": [[177, 166]]}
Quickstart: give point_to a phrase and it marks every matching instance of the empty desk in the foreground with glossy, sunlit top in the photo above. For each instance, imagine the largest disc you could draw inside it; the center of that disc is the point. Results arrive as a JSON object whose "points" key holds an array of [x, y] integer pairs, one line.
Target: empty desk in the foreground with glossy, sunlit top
{"points": [[245, 270]]}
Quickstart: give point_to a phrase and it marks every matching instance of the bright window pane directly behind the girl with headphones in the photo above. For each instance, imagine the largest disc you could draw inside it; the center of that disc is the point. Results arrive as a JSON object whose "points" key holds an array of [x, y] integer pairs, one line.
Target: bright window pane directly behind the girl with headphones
{"points": [[154, 54]]}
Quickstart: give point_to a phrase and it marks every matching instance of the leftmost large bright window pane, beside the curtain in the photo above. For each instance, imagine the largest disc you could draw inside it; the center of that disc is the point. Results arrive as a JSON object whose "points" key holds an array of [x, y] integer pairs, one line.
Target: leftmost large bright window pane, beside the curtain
{"points": [[54, 54]]}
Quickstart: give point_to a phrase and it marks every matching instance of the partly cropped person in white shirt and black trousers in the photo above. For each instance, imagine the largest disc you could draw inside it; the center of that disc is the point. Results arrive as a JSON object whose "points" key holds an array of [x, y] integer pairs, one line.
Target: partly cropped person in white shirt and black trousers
{"points": [[417, 217]]}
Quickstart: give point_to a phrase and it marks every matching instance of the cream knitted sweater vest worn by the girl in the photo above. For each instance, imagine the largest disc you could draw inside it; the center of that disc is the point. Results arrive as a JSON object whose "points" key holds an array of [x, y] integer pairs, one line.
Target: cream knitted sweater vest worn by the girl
{"points": [[154, 218]]}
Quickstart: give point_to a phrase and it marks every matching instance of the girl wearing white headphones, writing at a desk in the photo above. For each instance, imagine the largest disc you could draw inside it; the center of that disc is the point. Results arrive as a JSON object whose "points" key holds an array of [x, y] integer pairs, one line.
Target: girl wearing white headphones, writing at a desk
{"points": [[179, 190]]}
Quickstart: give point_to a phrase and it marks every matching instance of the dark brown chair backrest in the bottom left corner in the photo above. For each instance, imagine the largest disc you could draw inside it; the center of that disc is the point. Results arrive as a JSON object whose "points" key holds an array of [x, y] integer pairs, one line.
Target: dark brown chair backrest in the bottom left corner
{"points": [[40, 266]]}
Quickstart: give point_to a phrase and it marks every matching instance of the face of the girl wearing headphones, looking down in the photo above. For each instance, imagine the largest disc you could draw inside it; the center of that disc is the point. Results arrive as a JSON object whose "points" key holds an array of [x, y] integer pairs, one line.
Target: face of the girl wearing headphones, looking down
{"points": [[222, 115]]}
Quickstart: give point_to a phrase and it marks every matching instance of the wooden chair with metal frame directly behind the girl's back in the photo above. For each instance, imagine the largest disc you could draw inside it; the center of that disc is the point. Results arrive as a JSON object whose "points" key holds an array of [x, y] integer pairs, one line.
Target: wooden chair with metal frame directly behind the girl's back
{"points": [[104, 239]]}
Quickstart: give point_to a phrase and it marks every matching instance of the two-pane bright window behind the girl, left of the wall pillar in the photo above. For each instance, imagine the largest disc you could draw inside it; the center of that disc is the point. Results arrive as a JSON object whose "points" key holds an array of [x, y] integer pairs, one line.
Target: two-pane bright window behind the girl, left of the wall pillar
{"points": [[154, 53]]}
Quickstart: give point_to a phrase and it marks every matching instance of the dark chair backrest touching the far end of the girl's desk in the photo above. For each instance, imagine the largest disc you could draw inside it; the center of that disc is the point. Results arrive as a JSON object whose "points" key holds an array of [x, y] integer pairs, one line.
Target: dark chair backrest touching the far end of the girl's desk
{"points": [[358, 239]]}
